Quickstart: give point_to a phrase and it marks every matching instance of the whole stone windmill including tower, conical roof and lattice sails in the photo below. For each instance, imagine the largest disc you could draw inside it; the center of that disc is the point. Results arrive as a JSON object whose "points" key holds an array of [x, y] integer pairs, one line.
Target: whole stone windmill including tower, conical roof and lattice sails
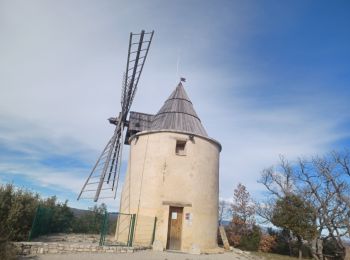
{"points": [[173, 167]]}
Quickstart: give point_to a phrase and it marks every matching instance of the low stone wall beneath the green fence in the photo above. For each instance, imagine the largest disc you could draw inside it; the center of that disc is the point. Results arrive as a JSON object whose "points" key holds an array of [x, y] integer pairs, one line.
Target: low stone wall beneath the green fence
{"points": [[36, 248]]}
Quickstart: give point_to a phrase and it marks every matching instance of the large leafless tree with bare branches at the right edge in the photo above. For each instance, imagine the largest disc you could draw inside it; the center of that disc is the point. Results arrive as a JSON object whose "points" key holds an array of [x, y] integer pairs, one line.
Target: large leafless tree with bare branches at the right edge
{"points": [[324, 183]]}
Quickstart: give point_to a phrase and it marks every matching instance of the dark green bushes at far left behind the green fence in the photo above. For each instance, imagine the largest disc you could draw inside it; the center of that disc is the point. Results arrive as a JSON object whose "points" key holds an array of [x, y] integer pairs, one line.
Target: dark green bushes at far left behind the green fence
{"points": [[18, 208]]}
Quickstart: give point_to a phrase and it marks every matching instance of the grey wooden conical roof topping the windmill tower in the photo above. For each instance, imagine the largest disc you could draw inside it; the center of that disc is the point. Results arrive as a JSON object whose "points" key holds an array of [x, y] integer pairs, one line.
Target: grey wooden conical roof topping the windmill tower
{"points": [[178, 114]]}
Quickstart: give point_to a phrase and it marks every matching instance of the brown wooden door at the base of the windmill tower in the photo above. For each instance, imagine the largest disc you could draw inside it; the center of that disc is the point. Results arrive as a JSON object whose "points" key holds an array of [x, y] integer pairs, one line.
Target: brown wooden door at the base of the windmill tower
{"points": [[174, 228]]}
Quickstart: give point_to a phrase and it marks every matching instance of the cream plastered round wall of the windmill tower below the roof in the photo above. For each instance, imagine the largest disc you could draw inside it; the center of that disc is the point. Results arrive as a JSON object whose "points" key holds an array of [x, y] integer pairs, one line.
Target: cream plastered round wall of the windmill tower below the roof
{"points": [[156, 175]]}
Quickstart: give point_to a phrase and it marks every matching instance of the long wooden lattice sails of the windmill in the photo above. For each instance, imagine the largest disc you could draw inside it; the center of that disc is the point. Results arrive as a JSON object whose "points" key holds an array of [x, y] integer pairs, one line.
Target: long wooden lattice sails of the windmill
{"points": [[103, 180]]}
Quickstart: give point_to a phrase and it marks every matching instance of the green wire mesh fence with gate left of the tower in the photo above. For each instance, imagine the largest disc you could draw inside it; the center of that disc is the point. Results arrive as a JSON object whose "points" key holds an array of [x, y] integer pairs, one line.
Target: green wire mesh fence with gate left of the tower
{"points": [[93, 226]]}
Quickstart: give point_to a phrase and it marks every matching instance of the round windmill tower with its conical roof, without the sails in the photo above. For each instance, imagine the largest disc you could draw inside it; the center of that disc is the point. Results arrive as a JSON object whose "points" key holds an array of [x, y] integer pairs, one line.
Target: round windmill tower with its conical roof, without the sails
{"points": [[173, 174]]}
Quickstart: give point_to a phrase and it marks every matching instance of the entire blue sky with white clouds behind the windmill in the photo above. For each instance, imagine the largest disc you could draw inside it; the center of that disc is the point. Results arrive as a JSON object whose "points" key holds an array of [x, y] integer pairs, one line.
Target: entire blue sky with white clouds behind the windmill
{"points": [[266, 78]]}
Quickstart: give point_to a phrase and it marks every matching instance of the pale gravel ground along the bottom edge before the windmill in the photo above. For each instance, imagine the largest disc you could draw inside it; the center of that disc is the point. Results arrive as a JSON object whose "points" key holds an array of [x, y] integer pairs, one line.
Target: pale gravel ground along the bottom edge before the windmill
{"points": [[143, 255]]}
